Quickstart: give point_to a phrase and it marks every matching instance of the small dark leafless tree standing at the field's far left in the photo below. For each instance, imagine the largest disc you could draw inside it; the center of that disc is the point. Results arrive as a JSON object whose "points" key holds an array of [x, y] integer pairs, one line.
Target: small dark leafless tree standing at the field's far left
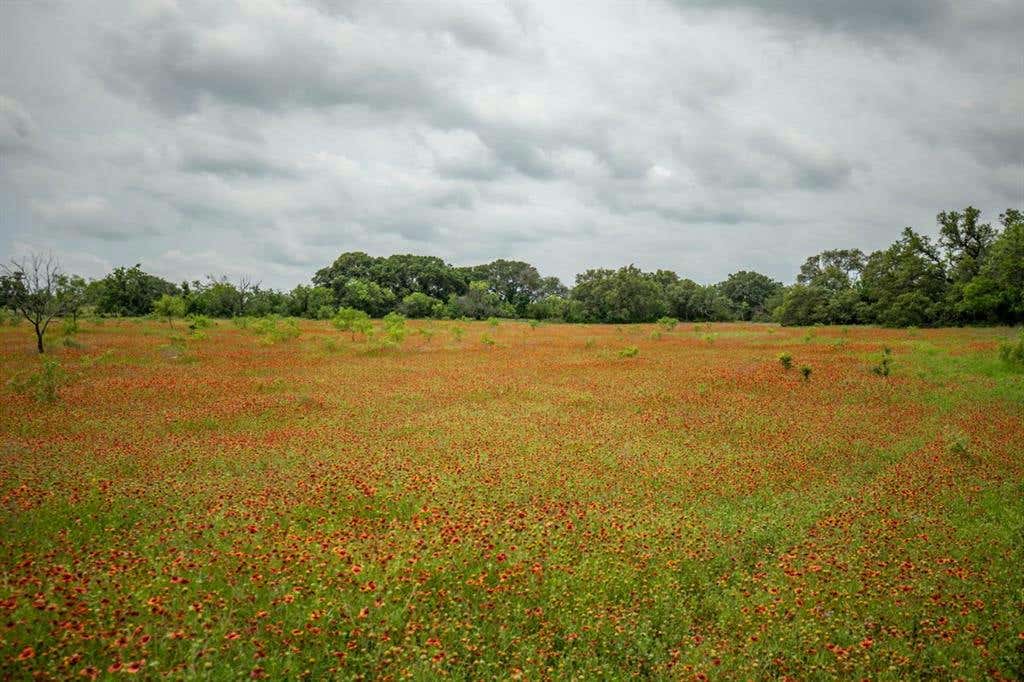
{"points": [[36, 288]]}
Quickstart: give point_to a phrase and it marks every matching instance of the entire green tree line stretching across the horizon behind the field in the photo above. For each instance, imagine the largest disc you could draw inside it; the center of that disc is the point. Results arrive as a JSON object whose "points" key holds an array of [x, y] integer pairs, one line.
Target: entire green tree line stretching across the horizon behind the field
{"points": [[973, 274]]}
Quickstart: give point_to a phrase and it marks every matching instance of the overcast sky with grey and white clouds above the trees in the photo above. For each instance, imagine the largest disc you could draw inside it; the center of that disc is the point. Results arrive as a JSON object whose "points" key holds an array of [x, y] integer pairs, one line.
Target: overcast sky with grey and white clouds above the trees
{"points": [[265, 138]]}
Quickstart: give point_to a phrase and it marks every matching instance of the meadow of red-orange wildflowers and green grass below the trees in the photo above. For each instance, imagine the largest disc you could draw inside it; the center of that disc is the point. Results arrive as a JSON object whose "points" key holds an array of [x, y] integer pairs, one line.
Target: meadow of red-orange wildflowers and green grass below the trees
{"points": [[504, 501]]}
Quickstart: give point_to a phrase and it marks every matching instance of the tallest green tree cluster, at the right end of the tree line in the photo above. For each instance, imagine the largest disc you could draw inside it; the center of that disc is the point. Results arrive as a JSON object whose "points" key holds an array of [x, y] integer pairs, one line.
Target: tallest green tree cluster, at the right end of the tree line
{"points": [[972, 275]]}
